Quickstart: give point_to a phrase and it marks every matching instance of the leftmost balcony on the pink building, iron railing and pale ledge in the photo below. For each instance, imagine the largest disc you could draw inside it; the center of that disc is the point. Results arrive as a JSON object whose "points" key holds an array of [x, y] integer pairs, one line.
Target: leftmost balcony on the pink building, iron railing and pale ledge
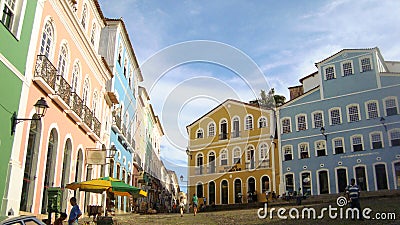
{"points": [[45, 74]]}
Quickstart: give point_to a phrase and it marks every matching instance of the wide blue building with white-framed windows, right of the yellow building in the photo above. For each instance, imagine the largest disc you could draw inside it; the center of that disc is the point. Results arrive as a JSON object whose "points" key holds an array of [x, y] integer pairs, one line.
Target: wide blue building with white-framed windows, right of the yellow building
{"points": [[342, 122]]}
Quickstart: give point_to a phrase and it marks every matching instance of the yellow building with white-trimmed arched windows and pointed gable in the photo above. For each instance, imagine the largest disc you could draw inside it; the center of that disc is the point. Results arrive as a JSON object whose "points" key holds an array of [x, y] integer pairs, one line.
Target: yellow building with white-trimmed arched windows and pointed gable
{"points": [[232, 153]]}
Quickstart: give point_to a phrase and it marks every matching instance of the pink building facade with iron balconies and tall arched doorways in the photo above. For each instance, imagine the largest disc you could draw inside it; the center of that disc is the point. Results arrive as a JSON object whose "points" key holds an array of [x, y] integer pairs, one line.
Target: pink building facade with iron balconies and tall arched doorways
{"points": [[71, 76]]}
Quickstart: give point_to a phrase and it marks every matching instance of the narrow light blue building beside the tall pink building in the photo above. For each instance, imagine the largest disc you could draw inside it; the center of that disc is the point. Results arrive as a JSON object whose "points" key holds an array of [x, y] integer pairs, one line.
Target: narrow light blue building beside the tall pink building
{"points": [[116, 47]]}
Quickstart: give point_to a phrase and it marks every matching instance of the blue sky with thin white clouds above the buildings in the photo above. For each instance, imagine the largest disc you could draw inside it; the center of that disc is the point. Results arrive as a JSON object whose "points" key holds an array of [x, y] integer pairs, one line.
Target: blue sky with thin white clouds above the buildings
{"points": [[196, 54]]}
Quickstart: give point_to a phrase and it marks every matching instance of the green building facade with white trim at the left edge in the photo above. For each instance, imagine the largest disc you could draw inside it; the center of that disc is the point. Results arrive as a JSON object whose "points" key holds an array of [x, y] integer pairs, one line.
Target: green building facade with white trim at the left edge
{"points": [[17, 21]]}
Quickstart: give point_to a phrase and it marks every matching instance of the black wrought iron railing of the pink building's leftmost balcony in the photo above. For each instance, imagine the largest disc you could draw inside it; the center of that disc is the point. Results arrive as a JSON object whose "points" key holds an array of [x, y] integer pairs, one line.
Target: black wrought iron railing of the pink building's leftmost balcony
{"points": [[45, 69]]}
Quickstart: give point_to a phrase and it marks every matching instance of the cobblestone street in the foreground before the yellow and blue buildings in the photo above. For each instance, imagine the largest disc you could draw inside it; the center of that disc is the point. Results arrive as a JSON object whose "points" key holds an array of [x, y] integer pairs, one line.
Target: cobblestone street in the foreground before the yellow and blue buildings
{"points": [[249, 216]]}
